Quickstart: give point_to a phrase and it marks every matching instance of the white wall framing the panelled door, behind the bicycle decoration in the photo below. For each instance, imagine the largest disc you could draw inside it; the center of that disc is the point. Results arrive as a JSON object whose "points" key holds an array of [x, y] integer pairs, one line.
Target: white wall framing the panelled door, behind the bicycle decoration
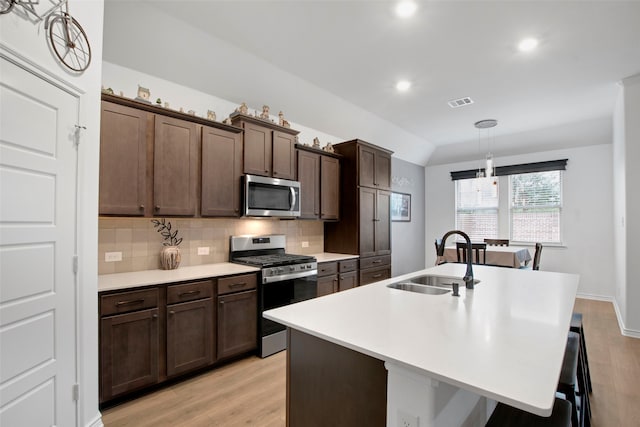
{"points": [[26, 38]]}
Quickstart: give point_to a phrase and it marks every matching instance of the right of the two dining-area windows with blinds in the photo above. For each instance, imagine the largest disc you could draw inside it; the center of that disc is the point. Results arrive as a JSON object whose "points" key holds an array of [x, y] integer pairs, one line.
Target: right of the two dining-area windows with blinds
{"points": [[535, 206]]}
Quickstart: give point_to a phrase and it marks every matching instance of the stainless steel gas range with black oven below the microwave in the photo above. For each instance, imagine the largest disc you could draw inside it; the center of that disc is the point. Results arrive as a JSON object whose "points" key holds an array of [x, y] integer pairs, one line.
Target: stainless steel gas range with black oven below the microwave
{"points": [[284, 279]]}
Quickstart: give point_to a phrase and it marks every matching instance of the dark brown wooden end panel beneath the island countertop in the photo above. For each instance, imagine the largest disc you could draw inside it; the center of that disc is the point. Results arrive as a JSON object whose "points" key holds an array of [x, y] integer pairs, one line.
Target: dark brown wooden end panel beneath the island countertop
{"points": [[330, 385]]}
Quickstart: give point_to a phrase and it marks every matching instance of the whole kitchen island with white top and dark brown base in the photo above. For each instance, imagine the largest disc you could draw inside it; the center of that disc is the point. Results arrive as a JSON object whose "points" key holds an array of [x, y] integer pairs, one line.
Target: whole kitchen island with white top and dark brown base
{"points": [[374, 355]]}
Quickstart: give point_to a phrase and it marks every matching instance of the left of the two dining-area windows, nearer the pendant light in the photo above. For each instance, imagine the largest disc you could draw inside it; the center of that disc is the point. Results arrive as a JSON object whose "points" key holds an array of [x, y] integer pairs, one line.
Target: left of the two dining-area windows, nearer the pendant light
{"points": [[477, 207]]}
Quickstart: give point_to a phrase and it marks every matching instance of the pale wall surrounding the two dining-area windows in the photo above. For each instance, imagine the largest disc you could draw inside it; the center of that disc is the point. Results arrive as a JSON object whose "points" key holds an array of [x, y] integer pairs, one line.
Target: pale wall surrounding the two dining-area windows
{"points": [[587, 214]]}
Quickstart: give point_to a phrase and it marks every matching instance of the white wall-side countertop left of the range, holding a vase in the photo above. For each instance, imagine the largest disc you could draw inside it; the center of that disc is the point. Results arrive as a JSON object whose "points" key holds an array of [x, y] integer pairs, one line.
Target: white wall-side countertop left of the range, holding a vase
{"points": [[110, 282]]}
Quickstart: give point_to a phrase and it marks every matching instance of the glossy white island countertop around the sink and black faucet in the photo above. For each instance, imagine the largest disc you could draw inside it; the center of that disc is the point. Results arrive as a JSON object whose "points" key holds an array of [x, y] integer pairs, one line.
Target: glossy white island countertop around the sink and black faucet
{"points": [[504, 340]]}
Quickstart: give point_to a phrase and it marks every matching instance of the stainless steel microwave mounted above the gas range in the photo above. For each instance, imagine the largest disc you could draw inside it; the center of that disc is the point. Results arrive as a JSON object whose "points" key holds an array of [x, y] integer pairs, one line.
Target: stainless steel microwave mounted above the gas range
{"points": [[264, 196]]}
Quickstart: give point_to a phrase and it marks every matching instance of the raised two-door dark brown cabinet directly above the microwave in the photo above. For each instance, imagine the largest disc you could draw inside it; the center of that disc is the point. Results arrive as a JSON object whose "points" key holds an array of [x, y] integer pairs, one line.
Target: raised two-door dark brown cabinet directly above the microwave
{"points": [[269, 149]]}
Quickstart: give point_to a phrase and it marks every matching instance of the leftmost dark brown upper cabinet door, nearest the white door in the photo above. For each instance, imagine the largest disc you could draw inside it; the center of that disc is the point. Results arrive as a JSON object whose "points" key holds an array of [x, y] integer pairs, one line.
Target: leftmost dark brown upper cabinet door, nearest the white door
{"points": [[123, 160]]}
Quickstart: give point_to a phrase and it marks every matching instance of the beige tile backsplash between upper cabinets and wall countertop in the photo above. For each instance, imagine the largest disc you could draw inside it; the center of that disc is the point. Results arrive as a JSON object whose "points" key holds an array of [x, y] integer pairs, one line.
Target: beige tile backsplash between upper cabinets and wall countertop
{"points": [[140, 243]]}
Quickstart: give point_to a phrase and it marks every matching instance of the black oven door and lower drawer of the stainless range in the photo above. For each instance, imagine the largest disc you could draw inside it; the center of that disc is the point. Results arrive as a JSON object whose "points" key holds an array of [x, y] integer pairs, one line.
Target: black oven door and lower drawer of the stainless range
{"points": [[273, 335]]}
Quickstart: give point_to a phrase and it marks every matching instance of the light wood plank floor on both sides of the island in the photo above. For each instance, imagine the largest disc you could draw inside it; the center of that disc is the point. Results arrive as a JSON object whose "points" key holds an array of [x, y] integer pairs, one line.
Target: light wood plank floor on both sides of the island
{"points": [[251, 392]]}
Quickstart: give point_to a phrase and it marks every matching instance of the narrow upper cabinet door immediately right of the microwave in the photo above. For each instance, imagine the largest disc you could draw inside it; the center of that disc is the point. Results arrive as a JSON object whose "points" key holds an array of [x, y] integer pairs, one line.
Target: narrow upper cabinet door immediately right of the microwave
{"points": [[309, 177]]}
